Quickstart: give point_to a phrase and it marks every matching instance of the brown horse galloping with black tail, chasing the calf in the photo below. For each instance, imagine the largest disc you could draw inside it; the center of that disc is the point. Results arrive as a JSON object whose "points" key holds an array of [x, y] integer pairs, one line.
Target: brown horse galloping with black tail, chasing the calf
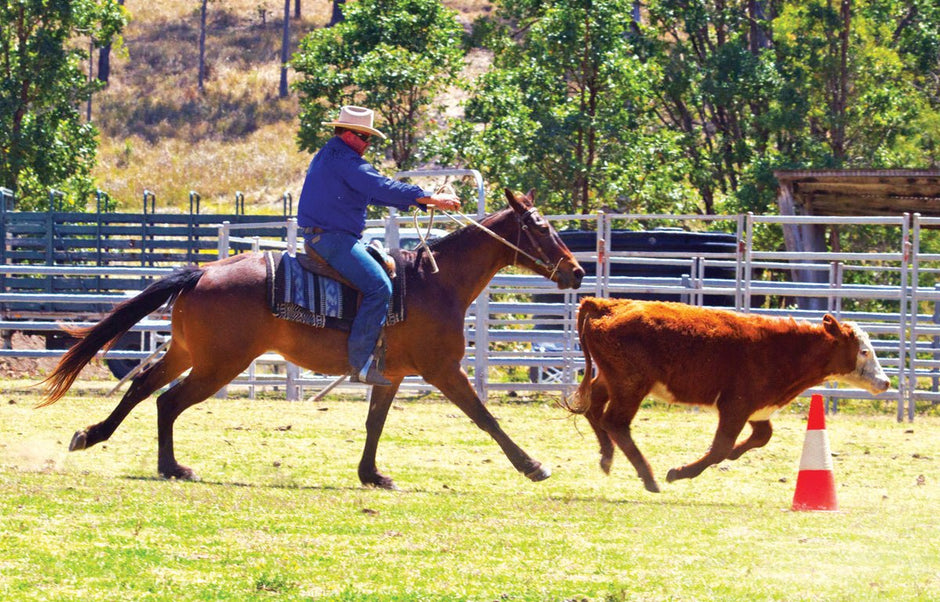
{"points": [[221, 322]]}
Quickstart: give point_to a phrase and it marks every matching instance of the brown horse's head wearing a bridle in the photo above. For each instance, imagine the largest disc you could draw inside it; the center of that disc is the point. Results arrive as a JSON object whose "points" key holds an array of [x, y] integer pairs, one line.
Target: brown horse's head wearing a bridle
{"points": [[546, 253]]}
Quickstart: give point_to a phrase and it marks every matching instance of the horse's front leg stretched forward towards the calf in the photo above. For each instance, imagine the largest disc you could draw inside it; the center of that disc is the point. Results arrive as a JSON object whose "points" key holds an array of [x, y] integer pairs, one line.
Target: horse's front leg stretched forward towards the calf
{"points": [[455, 385]]}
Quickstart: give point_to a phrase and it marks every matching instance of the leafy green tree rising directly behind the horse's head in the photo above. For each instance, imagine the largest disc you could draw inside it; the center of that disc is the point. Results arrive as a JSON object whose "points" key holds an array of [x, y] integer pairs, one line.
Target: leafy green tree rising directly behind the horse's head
{"points": [[565, 109]]}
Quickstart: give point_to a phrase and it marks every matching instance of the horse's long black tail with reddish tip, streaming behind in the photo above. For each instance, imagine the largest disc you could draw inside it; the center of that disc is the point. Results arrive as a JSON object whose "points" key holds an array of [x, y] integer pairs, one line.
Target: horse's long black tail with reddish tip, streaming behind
{"points": [[106, 332]]}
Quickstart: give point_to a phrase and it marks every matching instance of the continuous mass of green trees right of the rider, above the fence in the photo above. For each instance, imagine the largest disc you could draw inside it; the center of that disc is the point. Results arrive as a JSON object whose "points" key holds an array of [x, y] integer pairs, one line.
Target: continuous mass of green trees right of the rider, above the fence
{"points": [[695, 106]]}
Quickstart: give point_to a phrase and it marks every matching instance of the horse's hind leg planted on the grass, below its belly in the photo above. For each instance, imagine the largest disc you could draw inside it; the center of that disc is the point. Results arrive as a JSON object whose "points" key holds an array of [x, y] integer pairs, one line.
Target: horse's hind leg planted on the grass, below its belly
{"points": [[188, 392]]}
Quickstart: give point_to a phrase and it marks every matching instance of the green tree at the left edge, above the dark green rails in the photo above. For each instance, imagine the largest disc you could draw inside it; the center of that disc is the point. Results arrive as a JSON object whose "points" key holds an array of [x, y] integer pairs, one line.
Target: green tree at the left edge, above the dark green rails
{"points": [[43, 142]]}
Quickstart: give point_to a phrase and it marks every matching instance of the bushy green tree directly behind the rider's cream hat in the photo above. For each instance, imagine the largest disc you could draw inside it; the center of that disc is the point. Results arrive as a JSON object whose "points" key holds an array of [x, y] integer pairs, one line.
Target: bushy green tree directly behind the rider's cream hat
{"points": [[393, 56]]}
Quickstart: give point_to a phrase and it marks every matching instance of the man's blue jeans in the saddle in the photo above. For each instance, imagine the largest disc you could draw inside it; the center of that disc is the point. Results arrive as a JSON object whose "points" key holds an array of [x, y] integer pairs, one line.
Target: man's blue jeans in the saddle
{"points": [[348, 256]]}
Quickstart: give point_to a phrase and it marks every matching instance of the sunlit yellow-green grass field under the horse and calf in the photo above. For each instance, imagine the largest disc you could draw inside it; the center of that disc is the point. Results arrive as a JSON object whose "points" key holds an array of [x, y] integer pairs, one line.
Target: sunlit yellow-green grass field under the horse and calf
{"points": [[280, 515]]}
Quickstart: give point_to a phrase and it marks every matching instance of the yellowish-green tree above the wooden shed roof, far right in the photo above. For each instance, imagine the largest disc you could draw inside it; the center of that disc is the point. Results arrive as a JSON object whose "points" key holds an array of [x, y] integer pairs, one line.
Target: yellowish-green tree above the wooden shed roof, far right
{"points": [[851, 81]]}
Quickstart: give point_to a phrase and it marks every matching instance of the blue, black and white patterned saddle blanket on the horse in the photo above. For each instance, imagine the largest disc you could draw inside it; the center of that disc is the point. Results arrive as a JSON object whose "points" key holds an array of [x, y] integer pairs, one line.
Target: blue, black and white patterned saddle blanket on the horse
{"points": [[300, 296]]}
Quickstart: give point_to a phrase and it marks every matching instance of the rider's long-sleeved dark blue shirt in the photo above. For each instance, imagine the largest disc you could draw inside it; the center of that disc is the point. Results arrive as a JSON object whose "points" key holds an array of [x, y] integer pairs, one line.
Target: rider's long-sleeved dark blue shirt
{"points": [[340, 185]]}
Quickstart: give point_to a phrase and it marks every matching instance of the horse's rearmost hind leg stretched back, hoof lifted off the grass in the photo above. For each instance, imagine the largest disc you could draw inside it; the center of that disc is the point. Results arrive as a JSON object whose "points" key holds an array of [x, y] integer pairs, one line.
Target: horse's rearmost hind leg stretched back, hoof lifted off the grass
{"points": [[171, 365]]}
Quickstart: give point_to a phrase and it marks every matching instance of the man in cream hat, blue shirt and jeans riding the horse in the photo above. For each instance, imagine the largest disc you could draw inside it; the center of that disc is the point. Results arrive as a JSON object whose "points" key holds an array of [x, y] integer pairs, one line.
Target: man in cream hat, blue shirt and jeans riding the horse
{"points": [[331, 214]]}
